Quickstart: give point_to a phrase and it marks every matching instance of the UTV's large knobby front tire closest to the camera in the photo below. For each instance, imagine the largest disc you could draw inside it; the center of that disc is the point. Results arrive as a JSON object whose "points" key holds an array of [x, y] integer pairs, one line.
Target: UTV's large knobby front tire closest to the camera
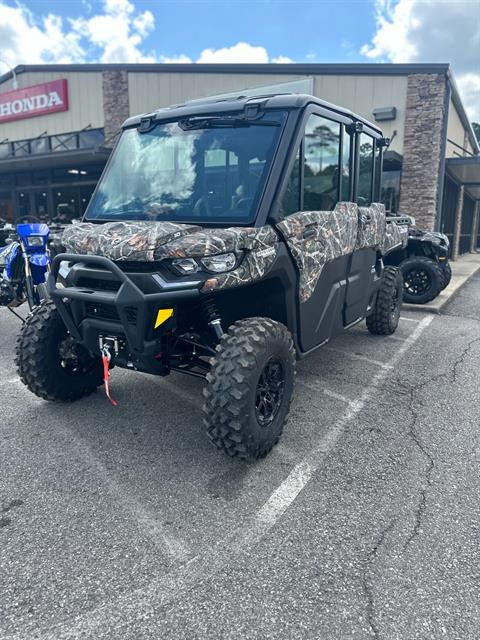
{"points": [[249, 388]]}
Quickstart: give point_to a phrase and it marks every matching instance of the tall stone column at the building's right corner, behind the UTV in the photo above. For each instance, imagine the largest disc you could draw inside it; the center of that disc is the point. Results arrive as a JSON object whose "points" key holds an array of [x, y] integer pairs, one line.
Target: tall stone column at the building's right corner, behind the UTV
{"points": [[423, 147]]}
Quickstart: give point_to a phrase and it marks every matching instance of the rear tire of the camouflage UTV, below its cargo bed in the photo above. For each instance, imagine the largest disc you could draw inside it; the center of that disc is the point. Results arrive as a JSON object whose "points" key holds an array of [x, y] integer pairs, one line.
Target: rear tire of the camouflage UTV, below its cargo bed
{"points": [[385, 317]]}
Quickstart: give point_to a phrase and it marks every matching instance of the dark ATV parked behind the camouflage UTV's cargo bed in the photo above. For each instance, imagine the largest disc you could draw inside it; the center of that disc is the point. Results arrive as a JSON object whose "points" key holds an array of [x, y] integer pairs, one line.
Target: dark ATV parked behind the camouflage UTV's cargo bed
{"points": [[424, 264]]}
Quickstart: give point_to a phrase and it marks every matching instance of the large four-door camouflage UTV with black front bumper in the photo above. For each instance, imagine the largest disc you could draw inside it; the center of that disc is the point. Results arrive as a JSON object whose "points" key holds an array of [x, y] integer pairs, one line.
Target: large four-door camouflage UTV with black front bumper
{"points": [[225, 240]]}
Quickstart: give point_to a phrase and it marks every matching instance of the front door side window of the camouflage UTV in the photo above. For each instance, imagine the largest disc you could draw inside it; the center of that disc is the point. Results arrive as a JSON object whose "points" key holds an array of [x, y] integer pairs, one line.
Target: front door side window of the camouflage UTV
{"points": [[321, 164]]}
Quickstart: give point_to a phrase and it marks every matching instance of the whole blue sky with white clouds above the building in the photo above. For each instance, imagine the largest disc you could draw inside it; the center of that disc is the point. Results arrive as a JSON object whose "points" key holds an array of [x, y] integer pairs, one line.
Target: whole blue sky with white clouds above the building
{"points": [[35, 31]]}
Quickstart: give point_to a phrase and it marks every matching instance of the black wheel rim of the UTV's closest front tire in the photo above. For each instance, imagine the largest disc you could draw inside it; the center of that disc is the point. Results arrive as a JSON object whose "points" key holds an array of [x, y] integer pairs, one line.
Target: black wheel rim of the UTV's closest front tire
{"points": [[270, 391]]}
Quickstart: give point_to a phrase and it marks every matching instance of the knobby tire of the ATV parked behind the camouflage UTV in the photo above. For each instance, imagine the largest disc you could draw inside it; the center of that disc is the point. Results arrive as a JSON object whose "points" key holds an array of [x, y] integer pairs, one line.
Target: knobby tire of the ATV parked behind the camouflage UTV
{"points": [[422, 278]]}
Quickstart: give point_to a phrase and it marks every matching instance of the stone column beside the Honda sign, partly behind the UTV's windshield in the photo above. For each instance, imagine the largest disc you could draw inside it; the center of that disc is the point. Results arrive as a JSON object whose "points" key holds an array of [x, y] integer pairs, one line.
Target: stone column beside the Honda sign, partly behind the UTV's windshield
{"points": [[115, 103]]}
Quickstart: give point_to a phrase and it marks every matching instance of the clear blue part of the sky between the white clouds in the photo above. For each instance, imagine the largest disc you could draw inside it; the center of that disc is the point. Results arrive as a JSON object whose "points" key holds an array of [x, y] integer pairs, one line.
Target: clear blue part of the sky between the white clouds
{"points": [[303, 30]]}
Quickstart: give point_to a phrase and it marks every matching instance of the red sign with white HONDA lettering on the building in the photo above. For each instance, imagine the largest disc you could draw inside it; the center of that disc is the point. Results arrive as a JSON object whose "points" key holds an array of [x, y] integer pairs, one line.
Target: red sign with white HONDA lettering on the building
{"points": [[38, 100]]}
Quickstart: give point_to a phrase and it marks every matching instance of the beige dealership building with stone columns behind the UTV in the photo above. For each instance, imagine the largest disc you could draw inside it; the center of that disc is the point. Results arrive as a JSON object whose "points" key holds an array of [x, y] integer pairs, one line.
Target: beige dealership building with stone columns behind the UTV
{"points": [[58, 126]]}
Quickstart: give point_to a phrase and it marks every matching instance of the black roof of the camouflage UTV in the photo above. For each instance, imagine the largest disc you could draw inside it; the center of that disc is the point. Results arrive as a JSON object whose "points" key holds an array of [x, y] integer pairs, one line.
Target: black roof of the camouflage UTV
{"points": [[209, 106]]}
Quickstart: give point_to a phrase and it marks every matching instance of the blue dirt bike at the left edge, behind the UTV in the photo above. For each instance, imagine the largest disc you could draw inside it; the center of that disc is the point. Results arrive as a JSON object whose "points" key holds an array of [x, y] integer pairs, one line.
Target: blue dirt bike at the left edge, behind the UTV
{"points": [[24, 264]]}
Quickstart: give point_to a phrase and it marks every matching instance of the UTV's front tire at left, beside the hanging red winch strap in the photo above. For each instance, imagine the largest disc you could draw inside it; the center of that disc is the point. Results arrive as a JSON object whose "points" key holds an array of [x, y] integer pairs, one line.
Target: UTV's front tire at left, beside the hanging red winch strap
{"points": [[50, 363]]}
